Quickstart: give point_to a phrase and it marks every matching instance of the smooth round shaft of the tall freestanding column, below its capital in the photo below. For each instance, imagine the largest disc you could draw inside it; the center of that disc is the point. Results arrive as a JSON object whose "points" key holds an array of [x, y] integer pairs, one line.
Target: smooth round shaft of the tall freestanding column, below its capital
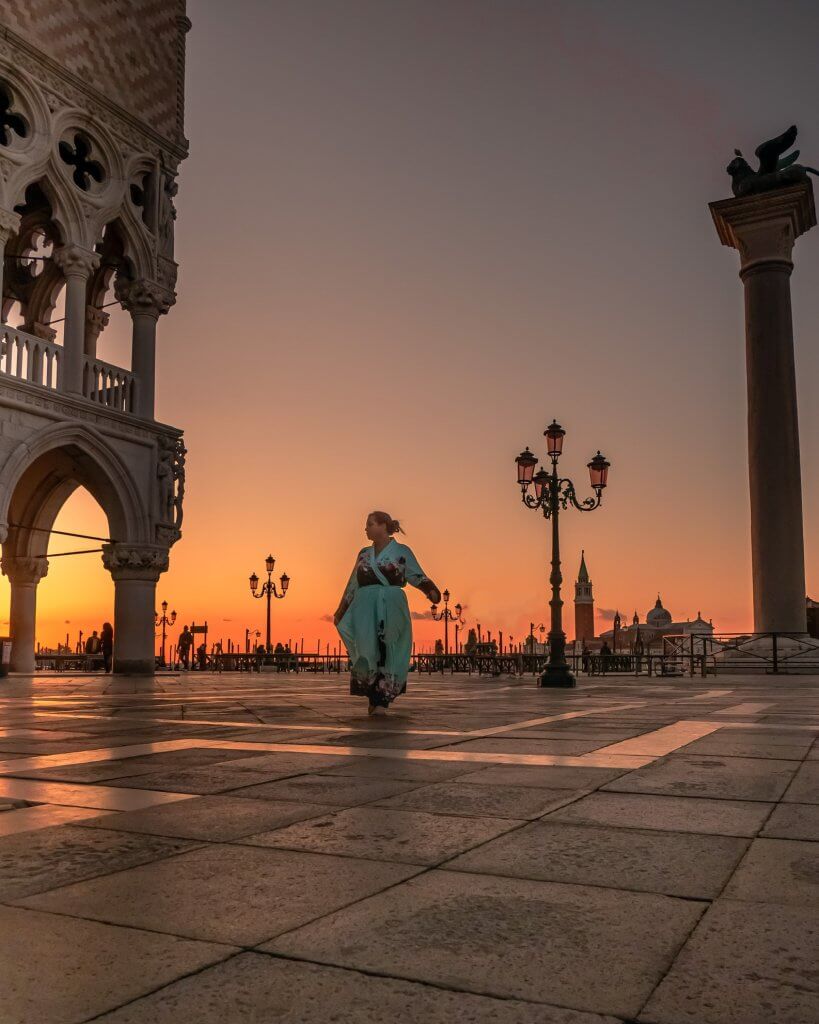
{"points": [[775, 477]]}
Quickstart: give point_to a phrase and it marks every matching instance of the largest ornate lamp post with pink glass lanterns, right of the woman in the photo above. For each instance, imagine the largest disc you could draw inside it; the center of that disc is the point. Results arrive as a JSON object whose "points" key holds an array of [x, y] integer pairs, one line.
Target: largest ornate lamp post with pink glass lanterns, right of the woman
{"points": [[553, 493]]}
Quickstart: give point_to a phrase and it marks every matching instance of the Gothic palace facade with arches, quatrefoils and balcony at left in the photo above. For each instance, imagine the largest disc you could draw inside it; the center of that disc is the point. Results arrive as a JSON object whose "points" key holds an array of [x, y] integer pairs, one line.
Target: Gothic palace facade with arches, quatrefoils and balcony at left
{"points": [[92, 137]]}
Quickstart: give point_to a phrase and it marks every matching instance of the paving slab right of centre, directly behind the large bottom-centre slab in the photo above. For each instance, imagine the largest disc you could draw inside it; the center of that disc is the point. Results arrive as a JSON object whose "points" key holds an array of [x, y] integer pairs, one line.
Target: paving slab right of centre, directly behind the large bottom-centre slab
{"points": [[675, 864]]}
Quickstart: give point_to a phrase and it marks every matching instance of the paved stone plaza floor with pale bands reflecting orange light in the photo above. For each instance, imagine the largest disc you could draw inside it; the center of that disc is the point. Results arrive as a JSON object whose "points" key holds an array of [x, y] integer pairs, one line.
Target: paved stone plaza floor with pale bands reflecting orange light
{"points": [[253, 850]]}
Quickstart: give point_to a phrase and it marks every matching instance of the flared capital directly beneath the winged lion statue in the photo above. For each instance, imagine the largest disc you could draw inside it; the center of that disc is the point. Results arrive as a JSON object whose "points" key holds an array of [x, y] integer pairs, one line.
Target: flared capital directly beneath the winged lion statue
{"points": [[763, 228]]}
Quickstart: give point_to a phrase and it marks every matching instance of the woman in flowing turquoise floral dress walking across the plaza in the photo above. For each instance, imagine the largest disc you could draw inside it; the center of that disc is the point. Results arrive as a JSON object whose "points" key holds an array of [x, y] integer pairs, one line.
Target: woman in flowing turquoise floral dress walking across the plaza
{"points": [[374, 617]]}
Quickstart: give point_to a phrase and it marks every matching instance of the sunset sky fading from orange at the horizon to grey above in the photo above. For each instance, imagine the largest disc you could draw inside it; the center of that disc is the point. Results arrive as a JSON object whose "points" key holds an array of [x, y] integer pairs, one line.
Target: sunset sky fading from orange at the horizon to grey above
{"points": [[412, 233]]}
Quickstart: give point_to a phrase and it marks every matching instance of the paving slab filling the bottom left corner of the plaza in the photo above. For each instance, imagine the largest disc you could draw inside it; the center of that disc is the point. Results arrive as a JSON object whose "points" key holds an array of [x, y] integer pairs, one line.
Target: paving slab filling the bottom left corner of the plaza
{"points": [[57, 970]]}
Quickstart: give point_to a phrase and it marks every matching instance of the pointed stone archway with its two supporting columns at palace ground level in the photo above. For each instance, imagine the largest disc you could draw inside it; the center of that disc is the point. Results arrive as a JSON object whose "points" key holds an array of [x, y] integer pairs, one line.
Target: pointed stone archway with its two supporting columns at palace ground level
{"points": [[35, 484]]}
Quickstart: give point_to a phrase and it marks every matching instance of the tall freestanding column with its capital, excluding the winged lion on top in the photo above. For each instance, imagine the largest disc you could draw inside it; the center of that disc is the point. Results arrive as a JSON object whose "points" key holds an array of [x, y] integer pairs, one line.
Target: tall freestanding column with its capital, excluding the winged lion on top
{"points": [[763, 229]]}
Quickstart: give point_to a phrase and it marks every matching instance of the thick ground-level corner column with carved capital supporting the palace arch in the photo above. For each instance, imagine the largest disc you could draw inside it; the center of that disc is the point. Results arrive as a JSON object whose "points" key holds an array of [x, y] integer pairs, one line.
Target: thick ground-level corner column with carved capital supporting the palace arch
{"points": [[136, 570]]}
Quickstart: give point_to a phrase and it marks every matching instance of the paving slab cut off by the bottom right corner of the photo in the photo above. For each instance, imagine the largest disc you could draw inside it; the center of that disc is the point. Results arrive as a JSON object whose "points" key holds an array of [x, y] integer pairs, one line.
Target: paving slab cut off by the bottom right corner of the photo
{"points": [[745, 964]]}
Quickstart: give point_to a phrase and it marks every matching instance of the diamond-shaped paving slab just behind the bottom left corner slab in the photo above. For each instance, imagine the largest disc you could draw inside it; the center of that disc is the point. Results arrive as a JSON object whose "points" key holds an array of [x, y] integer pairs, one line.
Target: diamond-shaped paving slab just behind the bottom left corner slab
{"points": [[234, 894]]}
